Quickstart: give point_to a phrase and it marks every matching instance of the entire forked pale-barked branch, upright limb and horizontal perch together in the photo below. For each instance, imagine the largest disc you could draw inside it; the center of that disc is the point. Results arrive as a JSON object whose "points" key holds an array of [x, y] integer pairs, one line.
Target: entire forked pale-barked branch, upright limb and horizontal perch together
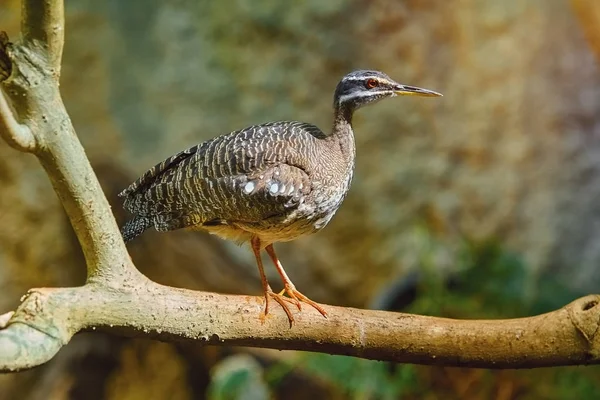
{"points": [[117, 298]]}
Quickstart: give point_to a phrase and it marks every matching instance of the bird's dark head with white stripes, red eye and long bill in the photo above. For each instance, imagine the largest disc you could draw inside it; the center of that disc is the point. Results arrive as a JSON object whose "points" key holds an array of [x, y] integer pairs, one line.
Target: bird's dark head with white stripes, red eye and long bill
{"points": [[360, 88]]}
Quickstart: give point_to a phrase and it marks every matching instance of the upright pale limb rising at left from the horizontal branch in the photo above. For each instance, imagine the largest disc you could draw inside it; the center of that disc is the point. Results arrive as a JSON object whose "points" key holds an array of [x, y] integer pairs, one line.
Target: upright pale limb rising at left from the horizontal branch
{"points": [[44, 128]]}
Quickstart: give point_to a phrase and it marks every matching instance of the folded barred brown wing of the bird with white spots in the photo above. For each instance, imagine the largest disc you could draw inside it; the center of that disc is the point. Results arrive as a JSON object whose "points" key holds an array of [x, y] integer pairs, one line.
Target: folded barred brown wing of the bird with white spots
{"points": [[245, 176]]}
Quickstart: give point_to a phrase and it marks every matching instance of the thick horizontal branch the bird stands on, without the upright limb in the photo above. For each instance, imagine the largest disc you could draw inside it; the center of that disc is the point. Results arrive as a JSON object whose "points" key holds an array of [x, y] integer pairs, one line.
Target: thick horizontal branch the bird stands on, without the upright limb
{"points": [[568, 336]]}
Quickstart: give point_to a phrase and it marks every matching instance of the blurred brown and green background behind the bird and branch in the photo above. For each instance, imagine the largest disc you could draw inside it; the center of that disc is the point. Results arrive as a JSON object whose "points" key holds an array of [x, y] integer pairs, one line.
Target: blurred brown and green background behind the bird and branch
{"points": [[481, 204]]}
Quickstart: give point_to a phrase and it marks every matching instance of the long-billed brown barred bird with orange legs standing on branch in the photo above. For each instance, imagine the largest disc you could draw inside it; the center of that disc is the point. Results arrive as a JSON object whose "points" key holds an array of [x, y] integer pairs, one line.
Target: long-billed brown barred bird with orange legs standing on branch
{"points": [[263, 184]]}
